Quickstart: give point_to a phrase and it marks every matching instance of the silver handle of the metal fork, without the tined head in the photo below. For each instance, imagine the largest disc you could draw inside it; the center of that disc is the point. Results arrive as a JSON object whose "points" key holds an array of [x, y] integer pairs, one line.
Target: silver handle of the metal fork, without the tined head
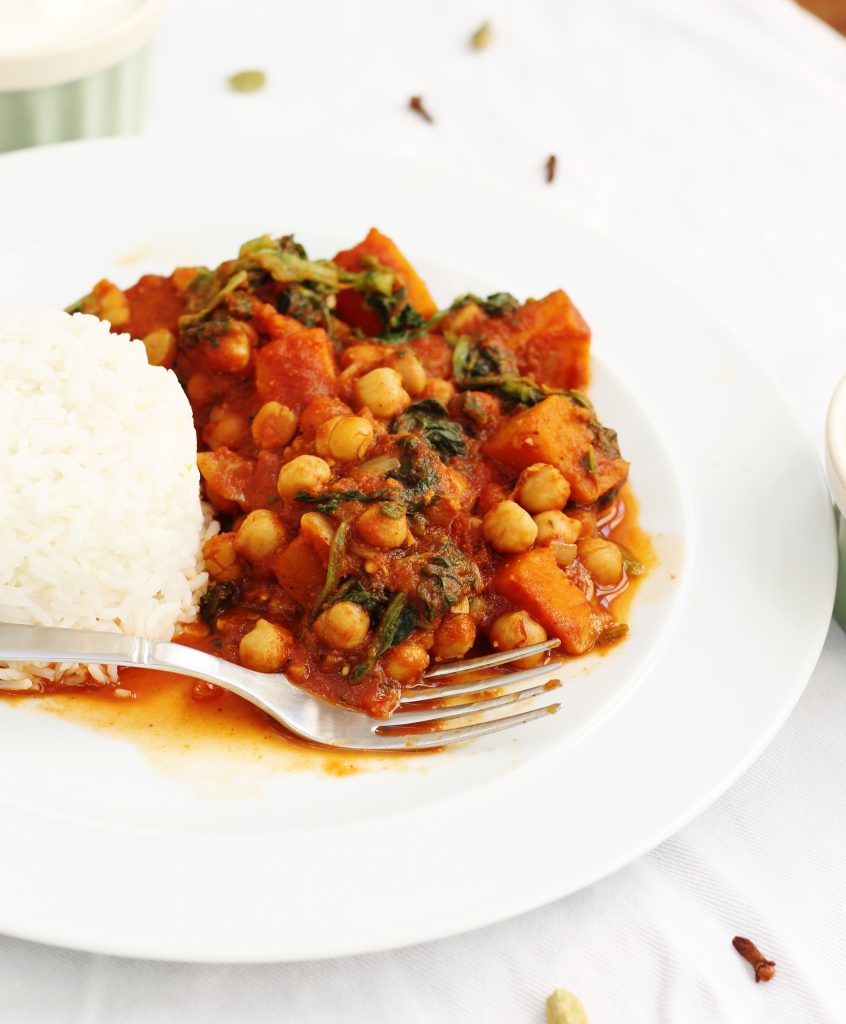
{"points": [[47, 644]]}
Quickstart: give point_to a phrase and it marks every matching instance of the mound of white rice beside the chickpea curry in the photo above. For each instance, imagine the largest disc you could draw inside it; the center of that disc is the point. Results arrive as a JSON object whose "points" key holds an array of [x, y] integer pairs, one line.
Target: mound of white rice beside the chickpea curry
{"points": [[101, 521]]}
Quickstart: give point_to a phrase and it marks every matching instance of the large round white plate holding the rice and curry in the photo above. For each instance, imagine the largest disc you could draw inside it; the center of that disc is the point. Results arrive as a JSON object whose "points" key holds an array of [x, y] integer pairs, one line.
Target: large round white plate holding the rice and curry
{"points": [[106, 852]]}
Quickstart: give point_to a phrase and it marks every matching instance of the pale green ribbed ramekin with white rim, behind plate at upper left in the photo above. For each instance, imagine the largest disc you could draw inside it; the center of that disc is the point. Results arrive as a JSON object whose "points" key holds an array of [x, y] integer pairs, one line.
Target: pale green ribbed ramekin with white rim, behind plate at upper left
{"points": [[81, 90]]}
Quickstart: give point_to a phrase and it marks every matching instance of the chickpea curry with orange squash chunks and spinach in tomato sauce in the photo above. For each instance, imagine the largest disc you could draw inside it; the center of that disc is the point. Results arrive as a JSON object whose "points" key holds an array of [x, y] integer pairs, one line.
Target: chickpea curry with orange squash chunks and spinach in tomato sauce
{"points": [[396, 485]]}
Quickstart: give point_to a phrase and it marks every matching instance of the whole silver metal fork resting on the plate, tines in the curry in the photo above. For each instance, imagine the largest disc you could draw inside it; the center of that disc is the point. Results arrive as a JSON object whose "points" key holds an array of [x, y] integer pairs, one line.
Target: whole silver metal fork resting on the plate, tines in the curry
{"points": [[306, 714]]}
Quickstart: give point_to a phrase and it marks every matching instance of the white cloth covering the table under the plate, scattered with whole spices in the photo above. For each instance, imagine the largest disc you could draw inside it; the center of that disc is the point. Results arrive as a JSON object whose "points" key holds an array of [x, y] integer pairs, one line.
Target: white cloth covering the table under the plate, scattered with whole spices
{"points": [[710, 136]]}
